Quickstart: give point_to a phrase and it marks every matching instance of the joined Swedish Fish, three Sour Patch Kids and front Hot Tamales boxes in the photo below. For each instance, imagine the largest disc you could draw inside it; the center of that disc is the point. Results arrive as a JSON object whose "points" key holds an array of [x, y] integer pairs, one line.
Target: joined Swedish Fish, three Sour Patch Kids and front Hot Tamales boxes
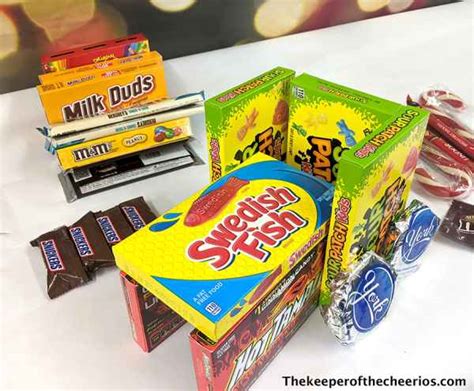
{"points": [[256, 251]]}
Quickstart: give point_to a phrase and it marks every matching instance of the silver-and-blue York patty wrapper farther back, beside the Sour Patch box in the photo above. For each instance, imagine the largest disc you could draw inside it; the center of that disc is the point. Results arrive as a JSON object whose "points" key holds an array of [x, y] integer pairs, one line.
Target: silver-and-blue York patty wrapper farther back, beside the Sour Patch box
{"points": [[411, 233]]}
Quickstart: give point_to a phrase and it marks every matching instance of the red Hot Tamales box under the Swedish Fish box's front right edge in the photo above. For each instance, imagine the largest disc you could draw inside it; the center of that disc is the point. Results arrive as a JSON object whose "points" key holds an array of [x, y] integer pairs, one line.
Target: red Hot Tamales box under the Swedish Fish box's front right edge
{"points": [[238, 358]]}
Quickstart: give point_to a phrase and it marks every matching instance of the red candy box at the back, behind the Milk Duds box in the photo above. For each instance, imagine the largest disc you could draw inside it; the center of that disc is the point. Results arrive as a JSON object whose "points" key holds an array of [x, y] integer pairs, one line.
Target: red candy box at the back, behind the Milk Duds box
{"points": [[95, 52]]}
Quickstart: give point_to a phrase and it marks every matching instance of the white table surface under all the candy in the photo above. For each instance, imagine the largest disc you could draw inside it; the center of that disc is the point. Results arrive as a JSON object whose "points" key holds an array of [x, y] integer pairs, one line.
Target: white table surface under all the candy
{"points": [[82, 340]]}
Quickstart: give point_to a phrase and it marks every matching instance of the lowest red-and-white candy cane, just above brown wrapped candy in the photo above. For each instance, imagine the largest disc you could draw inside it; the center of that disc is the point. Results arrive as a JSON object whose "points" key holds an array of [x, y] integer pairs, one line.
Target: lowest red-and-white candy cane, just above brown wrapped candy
{"points": [[461, 182]]}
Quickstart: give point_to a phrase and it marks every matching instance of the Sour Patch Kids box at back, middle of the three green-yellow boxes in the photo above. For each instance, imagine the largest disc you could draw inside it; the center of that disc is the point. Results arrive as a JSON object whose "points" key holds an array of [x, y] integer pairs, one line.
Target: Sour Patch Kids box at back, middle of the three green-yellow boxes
{"points": [[327, 119]]}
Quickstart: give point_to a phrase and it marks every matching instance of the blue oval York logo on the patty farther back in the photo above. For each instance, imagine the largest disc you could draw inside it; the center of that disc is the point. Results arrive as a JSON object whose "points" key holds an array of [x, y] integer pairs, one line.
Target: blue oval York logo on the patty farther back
{"points": [[422, 227]]}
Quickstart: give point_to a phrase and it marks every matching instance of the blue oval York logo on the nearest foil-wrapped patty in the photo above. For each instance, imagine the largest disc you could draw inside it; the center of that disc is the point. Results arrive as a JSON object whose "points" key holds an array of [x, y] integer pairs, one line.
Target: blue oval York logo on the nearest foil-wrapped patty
{"points": [[372, 296]]}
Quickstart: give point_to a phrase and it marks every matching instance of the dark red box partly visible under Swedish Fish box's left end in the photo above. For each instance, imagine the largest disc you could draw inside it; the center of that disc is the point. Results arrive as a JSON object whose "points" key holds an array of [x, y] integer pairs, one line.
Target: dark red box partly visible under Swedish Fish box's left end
{"points": [[151, 320]]}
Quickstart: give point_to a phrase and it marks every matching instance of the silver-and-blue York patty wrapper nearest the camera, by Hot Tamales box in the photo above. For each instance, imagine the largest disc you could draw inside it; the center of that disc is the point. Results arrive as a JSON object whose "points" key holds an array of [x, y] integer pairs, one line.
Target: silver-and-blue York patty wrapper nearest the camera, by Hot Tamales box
{"points": [[360, 298]]}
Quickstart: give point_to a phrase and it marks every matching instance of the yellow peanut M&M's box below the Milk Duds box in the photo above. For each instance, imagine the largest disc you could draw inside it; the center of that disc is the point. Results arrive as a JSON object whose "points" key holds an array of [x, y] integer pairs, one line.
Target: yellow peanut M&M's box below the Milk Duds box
{"points": [[149, 135]]}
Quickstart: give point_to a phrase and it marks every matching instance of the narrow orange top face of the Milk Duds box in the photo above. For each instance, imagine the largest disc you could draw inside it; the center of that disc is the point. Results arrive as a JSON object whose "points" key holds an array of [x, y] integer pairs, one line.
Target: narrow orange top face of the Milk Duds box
{"points": [[74, 75]]}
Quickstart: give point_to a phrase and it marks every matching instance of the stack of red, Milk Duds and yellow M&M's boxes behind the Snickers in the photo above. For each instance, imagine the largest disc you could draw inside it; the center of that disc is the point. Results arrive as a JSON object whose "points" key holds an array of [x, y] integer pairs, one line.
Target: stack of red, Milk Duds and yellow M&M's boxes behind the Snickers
{"points": [[86, 91]]}
